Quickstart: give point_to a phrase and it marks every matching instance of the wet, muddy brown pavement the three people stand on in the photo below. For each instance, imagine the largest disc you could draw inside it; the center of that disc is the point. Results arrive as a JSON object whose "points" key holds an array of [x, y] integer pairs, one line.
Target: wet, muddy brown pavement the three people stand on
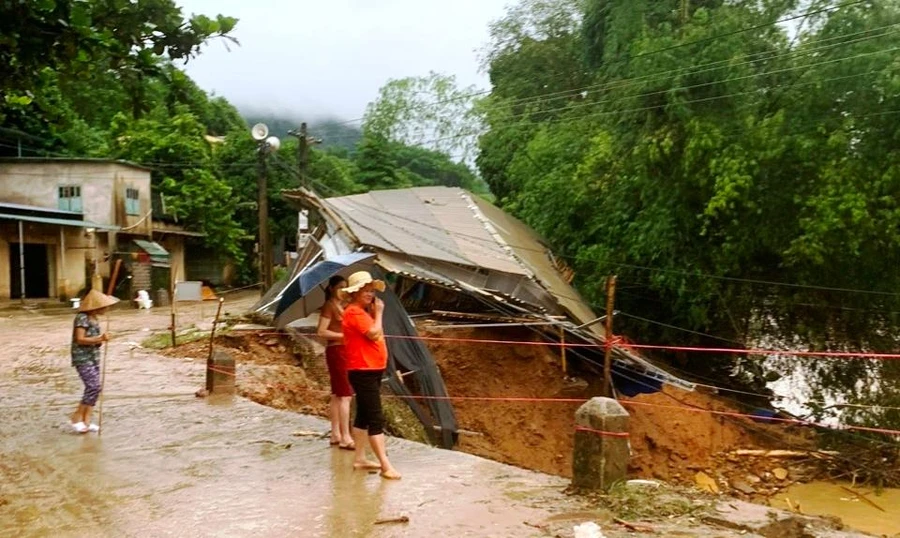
{"points": [[171, 464]]}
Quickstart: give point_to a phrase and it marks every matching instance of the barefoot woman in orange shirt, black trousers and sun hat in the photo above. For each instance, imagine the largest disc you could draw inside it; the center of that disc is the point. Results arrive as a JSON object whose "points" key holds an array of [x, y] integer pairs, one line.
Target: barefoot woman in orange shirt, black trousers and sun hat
{"points": [[366, 354]]}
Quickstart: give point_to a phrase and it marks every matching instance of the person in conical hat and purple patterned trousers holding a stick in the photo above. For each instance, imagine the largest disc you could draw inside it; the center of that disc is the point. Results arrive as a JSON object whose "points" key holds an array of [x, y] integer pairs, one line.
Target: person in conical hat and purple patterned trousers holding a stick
{"points": [[87, 339]]}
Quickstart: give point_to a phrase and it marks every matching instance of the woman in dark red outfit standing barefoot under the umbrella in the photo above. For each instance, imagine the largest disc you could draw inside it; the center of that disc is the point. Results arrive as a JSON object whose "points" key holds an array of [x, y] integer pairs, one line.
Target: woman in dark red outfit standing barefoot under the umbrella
{"points": [[341, 393]]}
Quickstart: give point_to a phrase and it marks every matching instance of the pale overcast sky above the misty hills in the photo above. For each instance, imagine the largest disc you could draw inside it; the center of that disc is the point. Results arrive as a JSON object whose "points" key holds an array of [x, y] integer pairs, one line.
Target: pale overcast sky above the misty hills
{"points": [[311, 59]]}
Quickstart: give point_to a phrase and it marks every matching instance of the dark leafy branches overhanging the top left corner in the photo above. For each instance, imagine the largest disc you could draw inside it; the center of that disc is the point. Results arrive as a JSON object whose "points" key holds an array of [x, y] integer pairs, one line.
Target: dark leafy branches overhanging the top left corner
{"points": [[65, 35]]}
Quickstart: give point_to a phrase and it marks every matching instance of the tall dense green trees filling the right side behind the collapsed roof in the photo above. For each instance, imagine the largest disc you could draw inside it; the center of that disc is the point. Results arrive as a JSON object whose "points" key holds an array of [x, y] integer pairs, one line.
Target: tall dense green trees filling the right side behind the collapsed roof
{"points": [[703, 152]]}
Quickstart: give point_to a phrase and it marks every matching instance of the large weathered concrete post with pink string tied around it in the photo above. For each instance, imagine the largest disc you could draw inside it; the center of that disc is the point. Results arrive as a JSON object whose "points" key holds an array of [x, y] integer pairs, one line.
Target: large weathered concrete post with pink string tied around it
{"points": [[601, 450]]}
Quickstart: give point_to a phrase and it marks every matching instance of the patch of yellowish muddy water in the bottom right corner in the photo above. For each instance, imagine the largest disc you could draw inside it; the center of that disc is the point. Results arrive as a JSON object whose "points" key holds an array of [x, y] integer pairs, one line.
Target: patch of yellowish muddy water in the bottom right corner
{"points": [[829, 499]]}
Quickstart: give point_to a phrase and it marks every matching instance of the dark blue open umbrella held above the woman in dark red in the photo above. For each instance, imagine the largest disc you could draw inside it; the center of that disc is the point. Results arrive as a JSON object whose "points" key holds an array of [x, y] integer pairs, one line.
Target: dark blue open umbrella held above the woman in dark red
{"points": [[306, 294]]}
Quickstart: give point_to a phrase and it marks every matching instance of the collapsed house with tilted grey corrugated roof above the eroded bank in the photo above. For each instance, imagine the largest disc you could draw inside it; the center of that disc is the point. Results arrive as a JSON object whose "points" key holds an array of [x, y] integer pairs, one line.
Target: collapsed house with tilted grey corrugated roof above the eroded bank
{"points": [[449, 254]]}
